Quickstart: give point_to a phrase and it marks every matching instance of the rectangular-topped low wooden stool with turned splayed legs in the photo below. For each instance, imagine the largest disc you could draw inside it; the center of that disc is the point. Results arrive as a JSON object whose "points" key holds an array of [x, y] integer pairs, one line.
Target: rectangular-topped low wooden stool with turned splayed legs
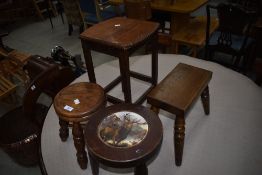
{"points": [[176, 94]]}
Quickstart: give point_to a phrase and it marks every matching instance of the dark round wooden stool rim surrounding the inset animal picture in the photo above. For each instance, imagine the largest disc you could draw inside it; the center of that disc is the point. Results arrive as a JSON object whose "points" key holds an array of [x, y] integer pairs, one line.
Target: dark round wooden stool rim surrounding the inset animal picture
{"points": [[124, 157]]}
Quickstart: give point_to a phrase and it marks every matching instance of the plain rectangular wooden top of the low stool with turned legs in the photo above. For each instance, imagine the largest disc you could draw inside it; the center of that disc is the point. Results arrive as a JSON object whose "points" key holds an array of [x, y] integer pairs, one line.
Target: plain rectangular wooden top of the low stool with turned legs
{"points": [[179, 89]]}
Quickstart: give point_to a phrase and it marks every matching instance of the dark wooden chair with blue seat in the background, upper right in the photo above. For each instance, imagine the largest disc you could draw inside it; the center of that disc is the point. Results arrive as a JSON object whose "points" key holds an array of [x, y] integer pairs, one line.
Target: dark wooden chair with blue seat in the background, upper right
{"points": [[232, 36]]}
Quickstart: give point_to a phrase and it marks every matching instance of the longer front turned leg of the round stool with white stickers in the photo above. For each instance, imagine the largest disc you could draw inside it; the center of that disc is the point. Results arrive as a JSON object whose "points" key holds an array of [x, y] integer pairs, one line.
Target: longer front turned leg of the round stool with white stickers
{"points": [[79, 143]]}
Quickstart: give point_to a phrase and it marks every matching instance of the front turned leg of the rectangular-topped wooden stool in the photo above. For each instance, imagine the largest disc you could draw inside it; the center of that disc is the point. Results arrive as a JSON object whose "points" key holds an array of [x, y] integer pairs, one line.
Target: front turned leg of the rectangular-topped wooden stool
{"points": [[179, 138]]}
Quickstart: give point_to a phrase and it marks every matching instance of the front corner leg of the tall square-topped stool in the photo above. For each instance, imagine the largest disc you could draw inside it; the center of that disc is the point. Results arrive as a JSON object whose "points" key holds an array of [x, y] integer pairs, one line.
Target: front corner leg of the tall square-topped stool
{"points": [[125, 73]]}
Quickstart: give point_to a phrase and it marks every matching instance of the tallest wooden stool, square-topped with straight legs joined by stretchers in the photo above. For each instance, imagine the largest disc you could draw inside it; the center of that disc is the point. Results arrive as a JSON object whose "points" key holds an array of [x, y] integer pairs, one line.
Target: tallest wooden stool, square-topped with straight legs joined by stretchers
{"points": [[120, 37]]}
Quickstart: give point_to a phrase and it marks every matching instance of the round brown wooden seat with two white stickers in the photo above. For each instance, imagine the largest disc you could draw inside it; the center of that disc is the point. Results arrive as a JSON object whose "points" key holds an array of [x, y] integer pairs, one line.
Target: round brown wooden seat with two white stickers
{"points": [[77, 101]]}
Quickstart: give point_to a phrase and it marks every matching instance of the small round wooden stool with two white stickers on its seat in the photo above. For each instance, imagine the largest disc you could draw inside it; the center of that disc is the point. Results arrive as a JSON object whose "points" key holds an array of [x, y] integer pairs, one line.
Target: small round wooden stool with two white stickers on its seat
{"points": [[77, 103]]}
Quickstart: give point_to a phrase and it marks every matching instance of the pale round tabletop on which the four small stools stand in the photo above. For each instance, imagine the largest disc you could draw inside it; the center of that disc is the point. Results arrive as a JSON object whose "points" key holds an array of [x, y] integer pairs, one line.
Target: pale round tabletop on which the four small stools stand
{"points": [[221, 143]]}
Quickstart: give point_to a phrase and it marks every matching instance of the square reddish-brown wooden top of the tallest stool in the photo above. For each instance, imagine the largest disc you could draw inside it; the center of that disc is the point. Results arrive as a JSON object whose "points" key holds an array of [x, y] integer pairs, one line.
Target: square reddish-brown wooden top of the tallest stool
{"points": [[113, 32]]}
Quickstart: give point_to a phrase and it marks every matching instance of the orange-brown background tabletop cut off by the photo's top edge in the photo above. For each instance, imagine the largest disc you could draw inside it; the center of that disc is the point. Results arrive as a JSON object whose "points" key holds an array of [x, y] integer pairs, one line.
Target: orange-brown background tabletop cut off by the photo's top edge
{"points": [[179, 6]]}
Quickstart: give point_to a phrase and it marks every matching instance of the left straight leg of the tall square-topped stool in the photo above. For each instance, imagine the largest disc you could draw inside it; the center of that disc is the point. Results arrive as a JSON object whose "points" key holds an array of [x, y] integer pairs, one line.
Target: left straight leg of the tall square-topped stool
{"points": [[89, 63]]}
